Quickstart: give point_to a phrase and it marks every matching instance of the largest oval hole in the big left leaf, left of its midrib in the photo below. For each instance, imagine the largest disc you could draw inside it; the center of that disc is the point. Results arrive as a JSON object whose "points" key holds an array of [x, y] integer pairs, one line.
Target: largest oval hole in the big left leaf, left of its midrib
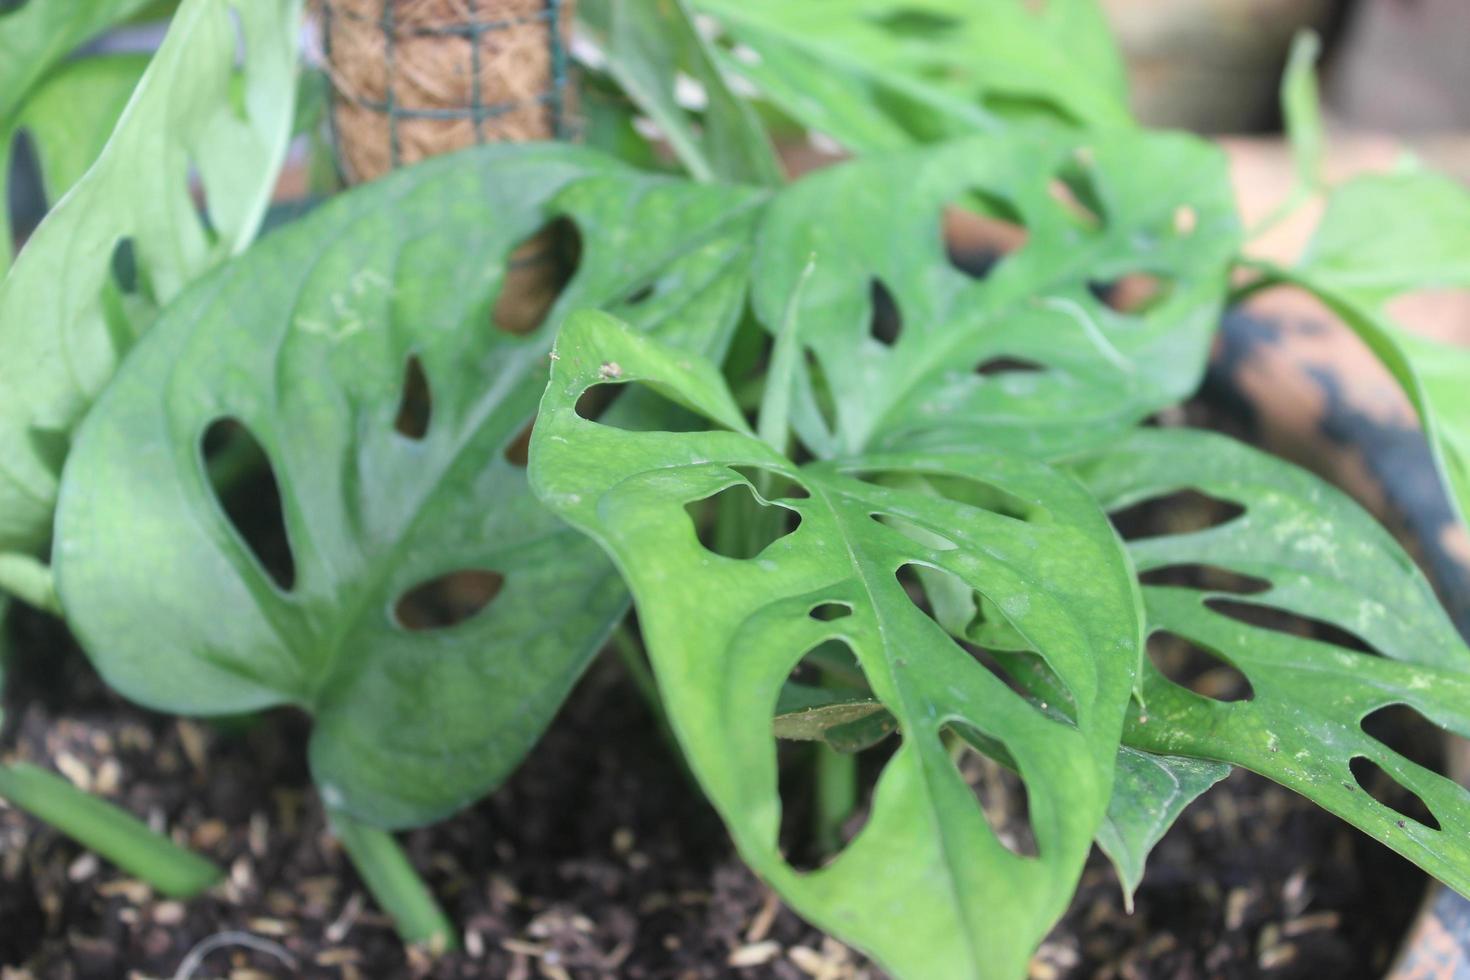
{"points": [[246, 489]]}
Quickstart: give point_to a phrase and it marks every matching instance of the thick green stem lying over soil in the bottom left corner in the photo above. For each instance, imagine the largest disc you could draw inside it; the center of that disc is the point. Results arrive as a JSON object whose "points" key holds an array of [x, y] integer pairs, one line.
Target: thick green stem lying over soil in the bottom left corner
{"points": [[111, 832]]}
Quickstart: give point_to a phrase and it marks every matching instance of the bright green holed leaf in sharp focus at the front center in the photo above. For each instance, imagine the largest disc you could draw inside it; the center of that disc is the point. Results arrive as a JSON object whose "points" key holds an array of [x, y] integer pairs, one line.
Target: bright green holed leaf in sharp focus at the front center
{"points": [[925, 887]]}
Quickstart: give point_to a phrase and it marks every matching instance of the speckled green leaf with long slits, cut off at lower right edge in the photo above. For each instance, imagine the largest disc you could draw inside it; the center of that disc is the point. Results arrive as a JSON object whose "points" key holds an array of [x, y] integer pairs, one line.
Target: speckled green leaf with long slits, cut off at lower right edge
{"points": [[1325, 559]]}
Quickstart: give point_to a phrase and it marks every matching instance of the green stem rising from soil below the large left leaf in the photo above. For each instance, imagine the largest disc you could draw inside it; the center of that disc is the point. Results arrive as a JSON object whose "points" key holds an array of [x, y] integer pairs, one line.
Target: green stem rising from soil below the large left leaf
{"points": [[395, 885]]}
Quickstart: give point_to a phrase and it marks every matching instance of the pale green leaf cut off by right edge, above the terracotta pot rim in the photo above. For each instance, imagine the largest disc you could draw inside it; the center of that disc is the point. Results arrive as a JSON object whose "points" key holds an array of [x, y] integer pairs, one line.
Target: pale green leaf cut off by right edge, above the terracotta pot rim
{"points": [[1384, 237]]}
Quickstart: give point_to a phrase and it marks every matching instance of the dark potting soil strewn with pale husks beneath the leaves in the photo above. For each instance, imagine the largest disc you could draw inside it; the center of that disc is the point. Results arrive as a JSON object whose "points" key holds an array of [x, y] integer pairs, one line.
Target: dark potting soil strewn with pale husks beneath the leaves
{"points": [[598, 860]]}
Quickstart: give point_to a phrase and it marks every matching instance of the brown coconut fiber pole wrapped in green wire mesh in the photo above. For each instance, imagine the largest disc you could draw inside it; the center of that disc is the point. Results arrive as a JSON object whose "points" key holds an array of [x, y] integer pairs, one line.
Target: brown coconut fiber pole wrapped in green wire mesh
{"points": [[415, 79]]}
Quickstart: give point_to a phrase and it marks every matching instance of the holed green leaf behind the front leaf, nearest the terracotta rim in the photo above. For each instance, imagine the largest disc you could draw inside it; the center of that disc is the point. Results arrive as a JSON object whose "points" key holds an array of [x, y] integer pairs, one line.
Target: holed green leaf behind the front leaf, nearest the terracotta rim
{"points": [[1080, 371]]}
